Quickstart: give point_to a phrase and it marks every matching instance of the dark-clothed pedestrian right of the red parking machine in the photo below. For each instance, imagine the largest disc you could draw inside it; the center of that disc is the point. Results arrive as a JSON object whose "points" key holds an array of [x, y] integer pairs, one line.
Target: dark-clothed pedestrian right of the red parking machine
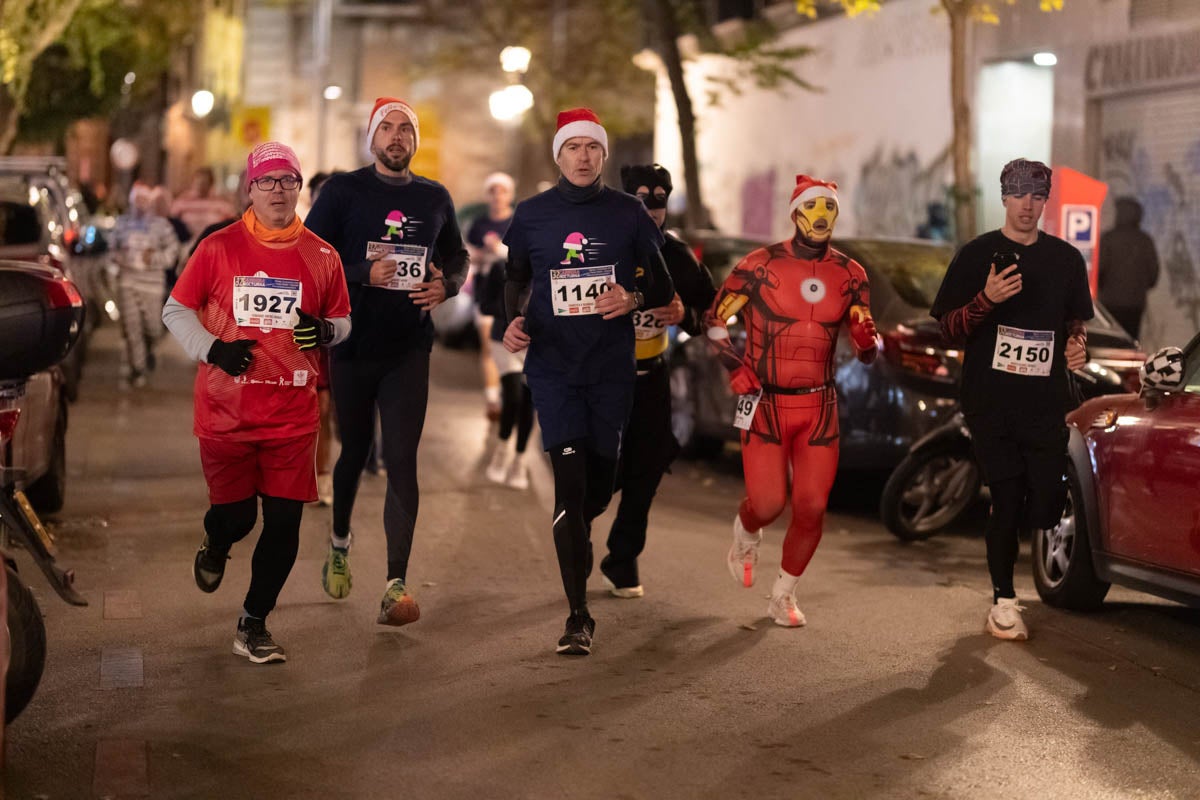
{"points": [[1129, 267]]}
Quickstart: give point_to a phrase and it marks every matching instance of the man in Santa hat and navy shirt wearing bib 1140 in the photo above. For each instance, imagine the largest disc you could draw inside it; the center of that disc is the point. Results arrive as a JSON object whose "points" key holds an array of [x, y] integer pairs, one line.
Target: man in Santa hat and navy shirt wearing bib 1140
{"points": [[574, 252]]}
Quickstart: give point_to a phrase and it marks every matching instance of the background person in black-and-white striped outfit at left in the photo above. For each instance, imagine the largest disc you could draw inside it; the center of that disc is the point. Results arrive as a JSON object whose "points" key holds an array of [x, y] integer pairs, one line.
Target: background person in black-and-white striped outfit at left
{"points": [[145, 248]]}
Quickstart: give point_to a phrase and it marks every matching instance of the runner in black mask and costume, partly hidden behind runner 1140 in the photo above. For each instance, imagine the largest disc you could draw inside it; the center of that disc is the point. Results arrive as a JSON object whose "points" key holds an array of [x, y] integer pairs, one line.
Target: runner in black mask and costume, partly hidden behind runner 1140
{"points": [[650, 446]]}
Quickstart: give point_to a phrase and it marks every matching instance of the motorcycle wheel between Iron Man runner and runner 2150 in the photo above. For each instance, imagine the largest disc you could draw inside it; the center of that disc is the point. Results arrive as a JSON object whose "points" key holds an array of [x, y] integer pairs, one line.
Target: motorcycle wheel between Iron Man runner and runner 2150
{"points": [[931, 490]]}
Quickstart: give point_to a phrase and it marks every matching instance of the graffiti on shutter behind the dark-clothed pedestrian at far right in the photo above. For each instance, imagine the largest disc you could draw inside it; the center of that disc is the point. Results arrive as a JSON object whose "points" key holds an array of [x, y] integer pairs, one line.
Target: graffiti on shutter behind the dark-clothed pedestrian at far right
{"points": [[1168, 196]]}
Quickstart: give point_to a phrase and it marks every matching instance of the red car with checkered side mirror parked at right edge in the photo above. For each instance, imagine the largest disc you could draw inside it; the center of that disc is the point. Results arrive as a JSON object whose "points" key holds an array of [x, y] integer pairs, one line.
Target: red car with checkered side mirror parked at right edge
{"points": [[1133, 514]]}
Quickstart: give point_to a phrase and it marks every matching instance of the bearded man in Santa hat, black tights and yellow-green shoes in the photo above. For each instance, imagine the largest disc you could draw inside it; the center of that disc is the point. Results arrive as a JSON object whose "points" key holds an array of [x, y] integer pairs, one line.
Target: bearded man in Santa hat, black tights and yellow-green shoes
{"points": [[404, 255]]}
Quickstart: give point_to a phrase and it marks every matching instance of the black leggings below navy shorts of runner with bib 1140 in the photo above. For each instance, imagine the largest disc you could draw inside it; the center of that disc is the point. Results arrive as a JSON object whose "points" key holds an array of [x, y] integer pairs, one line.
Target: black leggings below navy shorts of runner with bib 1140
{"points": [[583, 490]]}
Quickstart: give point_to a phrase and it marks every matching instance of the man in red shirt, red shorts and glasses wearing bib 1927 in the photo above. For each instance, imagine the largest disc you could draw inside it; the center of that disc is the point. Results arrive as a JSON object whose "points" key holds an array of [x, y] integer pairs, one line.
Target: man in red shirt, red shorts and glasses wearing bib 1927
{"points": [[255, 303]]}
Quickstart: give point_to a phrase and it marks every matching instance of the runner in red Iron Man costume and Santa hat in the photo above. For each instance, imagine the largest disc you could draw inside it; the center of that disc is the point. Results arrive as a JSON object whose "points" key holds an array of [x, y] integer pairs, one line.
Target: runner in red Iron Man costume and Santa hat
{"points": [[793, 299]]}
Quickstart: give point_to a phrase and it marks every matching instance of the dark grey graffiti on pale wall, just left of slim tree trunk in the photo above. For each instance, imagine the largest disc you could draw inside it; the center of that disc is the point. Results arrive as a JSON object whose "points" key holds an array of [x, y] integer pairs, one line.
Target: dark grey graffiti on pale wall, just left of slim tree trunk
{"points": [[893, 194]]}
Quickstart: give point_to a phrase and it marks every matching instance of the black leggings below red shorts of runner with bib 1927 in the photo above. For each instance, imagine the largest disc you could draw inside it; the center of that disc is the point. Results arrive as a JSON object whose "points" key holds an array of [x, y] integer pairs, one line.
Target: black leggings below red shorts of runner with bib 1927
{"points": [[229, 524]]}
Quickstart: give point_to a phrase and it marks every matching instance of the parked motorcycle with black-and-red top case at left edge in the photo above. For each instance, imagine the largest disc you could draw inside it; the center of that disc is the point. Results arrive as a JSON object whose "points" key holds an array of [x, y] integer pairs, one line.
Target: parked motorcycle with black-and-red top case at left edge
{"points": [[41, 317]]}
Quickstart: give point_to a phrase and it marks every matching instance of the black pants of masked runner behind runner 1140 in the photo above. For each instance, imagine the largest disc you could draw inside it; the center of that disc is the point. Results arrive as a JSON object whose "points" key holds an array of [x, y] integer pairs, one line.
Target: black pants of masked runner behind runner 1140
{"points": [[646, 453]]}
